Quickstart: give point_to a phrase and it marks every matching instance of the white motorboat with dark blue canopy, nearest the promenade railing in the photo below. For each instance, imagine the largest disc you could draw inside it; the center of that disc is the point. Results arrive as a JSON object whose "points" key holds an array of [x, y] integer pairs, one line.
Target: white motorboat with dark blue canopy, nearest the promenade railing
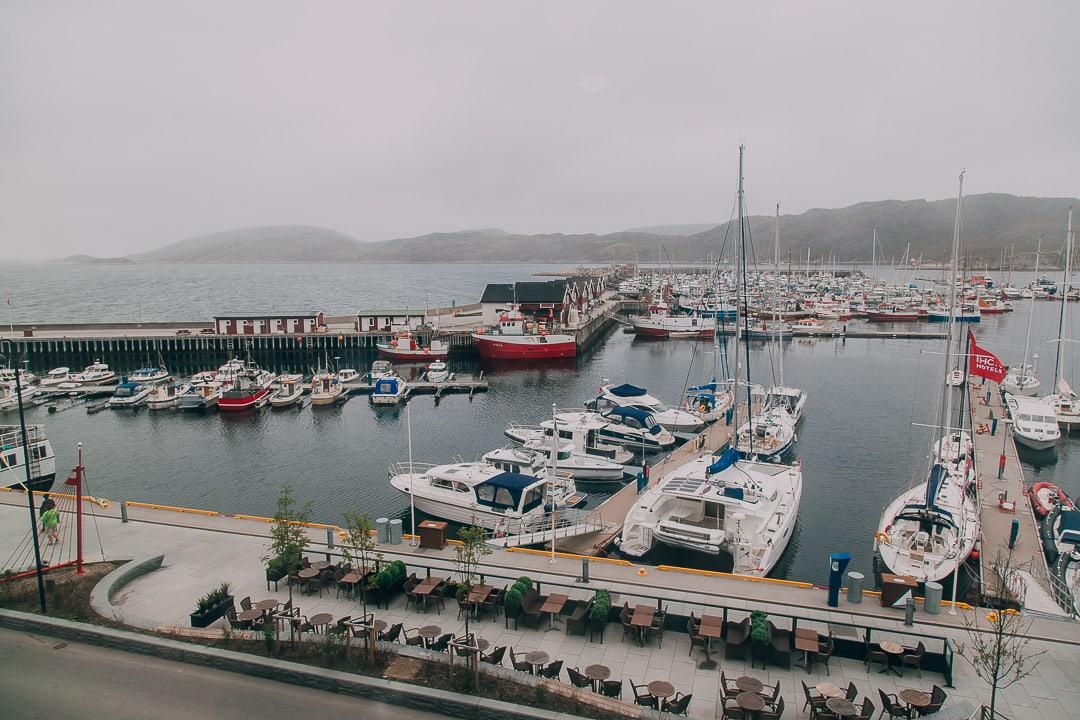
{"points": [[479, 494]]}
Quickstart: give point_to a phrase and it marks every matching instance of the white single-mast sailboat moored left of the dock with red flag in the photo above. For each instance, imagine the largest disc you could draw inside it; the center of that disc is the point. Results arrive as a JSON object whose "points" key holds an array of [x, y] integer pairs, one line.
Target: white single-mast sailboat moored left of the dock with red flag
{"points": [[928, 531]]}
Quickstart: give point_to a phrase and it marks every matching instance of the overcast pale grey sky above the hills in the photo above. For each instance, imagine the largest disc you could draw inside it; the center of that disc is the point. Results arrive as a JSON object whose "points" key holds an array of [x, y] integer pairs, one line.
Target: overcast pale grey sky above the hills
{"points": [[129, 126]]}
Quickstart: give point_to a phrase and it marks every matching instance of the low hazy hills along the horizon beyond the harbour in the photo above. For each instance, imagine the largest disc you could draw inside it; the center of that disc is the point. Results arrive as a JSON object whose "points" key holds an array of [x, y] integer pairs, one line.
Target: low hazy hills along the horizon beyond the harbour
{"points": [[993, 223]]}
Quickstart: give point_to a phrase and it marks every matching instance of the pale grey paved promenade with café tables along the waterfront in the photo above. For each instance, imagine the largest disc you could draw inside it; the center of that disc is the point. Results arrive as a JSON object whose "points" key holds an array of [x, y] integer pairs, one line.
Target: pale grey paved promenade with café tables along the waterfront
{"points": [[204, 551]]}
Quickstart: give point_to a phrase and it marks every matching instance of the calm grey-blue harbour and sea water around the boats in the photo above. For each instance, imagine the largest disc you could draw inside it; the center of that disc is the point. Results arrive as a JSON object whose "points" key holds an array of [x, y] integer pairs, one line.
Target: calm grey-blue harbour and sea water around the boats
{"points": [[858, 444]]}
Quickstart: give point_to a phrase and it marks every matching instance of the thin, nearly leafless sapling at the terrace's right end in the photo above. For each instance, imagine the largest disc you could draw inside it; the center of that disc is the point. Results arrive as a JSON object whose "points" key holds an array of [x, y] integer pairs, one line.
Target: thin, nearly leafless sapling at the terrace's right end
{"points": [[1000, 655]]}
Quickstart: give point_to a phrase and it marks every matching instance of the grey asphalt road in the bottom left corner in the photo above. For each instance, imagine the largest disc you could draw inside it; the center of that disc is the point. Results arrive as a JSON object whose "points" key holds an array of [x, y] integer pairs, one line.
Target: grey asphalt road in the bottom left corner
{"points": [[43, 677]]}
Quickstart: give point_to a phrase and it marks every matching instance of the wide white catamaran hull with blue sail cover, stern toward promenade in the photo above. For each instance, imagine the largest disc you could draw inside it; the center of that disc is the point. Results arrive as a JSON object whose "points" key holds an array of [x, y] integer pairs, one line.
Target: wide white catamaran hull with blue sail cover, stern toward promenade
{"points": [[719, 505]]}
